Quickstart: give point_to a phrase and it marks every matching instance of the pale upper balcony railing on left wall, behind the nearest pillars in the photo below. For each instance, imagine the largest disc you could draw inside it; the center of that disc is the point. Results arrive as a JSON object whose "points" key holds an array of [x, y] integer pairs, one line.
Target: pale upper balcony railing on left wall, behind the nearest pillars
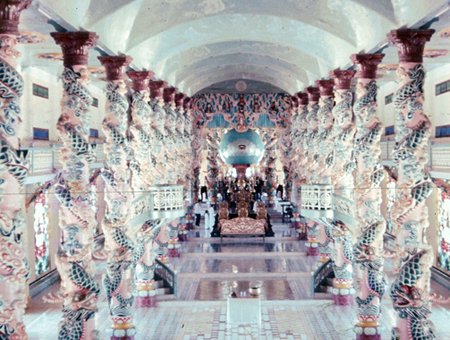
{"points": [[45, 160]]}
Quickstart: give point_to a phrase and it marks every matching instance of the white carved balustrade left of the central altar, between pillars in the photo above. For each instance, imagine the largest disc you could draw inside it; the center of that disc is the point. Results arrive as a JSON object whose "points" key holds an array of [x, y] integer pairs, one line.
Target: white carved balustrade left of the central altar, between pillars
{"points": [[159, 202]]}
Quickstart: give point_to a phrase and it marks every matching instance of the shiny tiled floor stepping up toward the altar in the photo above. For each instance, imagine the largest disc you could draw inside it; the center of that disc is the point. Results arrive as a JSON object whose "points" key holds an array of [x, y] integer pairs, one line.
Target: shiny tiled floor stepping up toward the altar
{"points": [[208, 271]]}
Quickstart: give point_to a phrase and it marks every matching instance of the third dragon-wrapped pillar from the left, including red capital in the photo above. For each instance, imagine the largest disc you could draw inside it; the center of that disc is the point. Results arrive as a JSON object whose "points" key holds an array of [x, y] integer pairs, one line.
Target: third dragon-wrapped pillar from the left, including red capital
{"points": [[116, 174]]}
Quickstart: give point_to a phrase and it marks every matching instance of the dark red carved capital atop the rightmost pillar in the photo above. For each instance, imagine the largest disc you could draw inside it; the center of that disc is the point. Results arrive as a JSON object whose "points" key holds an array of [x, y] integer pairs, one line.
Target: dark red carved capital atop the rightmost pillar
{"points": [[410, 43]]}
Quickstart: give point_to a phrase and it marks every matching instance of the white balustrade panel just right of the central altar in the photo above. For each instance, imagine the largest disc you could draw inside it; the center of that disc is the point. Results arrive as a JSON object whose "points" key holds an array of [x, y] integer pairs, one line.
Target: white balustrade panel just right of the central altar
{"points": [[316, 201]]}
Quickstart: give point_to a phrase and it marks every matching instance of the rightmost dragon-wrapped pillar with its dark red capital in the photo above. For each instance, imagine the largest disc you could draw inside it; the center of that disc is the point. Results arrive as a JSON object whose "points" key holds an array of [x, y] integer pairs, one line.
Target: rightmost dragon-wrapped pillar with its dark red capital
{"points": [[410, 289]]}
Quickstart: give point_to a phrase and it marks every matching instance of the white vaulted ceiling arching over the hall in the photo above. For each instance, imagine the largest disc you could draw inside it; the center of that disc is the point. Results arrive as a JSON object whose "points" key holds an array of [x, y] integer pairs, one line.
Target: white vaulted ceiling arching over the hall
{"points": [[196, 43]]}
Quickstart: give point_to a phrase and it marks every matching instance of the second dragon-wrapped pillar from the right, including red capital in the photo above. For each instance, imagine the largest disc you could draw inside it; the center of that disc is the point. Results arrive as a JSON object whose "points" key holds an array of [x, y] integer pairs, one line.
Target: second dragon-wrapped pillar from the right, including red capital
{"points": [[368, 250]]}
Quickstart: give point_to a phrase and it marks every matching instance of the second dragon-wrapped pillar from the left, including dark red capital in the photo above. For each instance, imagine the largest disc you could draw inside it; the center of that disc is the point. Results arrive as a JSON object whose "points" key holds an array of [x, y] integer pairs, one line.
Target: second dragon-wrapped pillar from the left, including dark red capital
{"points": [[74, 259]]}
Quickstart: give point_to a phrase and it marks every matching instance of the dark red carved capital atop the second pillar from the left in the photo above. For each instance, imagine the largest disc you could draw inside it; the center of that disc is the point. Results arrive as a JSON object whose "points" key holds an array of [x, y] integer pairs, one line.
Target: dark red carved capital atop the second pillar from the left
{"points": [[75, 46]]}
